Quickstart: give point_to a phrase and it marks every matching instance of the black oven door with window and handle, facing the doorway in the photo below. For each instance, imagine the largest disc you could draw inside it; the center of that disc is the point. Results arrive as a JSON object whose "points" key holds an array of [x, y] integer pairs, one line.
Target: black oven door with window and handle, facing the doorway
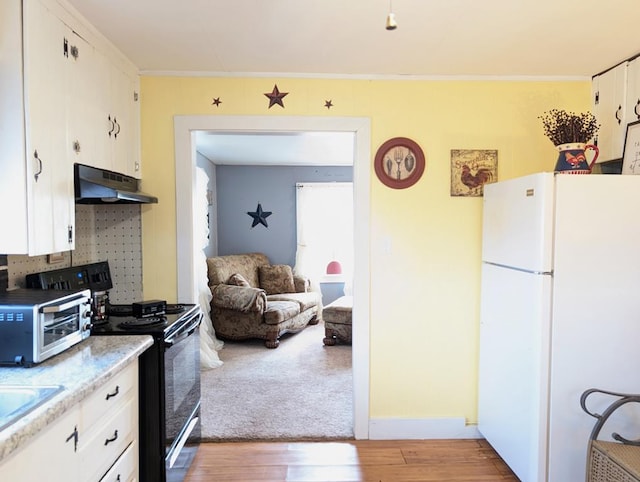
{"points": [[182, 397]]}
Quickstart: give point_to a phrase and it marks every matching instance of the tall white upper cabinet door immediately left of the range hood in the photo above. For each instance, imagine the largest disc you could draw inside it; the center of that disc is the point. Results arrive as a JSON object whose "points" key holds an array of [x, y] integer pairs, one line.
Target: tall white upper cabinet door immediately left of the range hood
{"points": [[50, 198]]}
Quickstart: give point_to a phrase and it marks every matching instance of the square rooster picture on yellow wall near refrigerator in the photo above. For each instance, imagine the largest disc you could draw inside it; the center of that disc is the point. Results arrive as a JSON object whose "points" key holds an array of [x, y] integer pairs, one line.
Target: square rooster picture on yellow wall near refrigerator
{"points": [[471, 169]]}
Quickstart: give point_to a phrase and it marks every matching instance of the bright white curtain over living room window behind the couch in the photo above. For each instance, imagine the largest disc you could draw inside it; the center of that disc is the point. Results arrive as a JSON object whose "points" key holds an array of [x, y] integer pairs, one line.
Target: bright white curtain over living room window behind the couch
{"points": [[324, 229]]}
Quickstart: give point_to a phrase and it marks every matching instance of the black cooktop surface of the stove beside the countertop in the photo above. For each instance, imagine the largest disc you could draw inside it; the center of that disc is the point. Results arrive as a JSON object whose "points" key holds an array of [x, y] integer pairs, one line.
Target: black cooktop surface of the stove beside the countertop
{"points": [[120, 321]]}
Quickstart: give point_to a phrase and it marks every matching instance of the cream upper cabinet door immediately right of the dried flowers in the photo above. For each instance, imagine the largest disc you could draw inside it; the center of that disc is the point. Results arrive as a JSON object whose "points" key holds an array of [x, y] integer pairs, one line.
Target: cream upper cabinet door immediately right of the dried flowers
{"points": [[609, 91]]}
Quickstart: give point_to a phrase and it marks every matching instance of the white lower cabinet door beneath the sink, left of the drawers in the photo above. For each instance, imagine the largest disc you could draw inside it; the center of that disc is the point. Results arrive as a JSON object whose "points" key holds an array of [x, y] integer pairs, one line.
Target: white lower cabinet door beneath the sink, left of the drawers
{"points": [[52, 456]]}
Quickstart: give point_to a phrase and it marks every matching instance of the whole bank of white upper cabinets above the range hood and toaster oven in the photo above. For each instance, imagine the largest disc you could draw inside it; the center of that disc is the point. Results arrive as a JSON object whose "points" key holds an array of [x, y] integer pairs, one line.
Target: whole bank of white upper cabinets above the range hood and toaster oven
{"points": [[67, 96]]}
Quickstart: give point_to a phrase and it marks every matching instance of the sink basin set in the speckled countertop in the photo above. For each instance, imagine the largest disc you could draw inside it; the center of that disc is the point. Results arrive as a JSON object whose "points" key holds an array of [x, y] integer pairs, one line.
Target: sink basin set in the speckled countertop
{"points": [[18, 400]]}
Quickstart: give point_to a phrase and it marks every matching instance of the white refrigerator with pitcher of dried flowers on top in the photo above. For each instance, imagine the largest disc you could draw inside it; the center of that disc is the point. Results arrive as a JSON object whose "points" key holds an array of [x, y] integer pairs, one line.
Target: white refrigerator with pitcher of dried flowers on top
{"points": [[560, 313]]}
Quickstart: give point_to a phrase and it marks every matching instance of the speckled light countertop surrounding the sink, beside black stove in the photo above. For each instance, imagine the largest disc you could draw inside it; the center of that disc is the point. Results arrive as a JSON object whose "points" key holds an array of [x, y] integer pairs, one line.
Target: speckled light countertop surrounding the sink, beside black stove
{"points": [[80, 369]]}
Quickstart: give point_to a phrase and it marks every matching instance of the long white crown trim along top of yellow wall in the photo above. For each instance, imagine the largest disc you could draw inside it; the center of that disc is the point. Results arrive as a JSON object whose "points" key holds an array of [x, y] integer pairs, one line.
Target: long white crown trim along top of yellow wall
{"points": [[295, 75]]}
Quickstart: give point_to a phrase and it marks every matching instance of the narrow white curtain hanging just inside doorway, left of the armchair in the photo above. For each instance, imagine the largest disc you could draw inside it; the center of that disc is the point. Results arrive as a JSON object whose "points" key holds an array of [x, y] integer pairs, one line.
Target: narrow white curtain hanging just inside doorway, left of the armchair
{"points": [[209, 344]]}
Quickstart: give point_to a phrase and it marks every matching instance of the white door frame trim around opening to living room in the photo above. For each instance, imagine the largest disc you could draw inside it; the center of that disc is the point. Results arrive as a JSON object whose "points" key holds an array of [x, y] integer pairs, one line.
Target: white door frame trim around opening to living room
{"points": [[184, 127]]}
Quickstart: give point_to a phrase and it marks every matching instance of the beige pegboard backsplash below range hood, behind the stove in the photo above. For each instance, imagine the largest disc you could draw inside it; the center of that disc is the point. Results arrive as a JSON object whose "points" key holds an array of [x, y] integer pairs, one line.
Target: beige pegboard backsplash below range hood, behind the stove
{"points": [[105, 232]]}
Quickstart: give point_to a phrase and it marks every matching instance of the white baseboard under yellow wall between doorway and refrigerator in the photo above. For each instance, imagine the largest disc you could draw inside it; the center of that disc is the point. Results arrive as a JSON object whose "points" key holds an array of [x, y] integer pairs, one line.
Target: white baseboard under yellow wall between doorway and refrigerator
{"points": [[421, 429]]}
